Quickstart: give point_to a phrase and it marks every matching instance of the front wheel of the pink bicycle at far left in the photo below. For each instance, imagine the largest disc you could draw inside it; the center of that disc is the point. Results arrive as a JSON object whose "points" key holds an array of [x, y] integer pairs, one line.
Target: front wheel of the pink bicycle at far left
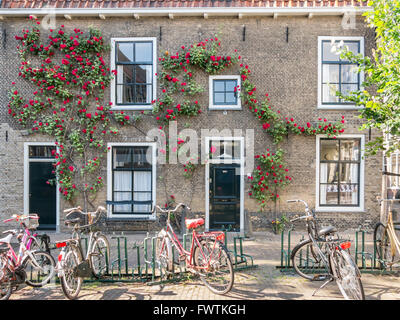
{"points": [[40, 270]]}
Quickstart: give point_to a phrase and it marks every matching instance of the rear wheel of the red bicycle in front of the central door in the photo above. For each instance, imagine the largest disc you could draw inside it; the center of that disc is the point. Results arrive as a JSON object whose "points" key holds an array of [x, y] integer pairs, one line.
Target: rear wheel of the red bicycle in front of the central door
{"points": [[215, 266]]}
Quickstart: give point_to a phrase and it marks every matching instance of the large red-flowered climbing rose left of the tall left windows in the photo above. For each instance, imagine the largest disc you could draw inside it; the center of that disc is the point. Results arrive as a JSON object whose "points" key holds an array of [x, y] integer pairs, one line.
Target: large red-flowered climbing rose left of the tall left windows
{"points": [[69, 77]]}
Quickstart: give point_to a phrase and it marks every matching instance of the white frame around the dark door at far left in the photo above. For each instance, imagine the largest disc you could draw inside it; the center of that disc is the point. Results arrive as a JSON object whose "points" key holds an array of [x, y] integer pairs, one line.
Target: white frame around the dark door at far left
{"points": [[26, 178]]}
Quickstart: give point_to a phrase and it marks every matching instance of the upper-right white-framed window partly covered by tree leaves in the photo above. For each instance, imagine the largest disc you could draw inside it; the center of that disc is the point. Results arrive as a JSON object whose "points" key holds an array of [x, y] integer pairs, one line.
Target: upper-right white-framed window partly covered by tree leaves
{"points": [[336, 74]]}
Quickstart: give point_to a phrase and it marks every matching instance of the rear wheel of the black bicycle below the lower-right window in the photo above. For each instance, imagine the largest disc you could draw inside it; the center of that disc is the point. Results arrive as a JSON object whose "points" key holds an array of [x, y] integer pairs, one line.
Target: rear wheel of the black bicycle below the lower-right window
{"points": [[347, 275]]}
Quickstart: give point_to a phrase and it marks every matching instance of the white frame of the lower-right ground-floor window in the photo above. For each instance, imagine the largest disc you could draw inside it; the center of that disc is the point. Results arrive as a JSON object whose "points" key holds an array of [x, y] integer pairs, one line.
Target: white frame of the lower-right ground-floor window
{"points": [[361, 176]]}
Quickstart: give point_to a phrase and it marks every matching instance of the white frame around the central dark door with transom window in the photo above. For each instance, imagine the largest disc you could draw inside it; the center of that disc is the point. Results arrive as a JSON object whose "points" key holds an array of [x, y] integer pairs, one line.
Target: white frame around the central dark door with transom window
{"points": [[222, 161]]}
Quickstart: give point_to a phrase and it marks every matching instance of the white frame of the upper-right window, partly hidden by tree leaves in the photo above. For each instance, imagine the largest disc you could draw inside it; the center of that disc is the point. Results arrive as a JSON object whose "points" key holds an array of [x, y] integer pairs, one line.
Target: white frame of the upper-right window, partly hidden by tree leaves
{"points": [[337, 105]]}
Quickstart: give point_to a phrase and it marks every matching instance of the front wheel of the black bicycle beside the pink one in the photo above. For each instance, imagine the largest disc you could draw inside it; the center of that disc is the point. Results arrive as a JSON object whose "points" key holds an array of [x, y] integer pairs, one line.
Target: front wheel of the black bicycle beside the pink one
{"points": [[99, 257]]}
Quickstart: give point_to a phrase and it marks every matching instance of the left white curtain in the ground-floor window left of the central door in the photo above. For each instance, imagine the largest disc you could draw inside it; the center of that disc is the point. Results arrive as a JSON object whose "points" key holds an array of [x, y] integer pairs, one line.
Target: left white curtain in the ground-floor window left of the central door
{"points": [[122, 188]]}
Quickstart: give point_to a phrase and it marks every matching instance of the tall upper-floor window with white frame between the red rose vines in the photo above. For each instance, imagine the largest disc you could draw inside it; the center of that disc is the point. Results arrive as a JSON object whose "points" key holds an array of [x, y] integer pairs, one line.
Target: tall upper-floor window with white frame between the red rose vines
{"points": [[134, 86]]}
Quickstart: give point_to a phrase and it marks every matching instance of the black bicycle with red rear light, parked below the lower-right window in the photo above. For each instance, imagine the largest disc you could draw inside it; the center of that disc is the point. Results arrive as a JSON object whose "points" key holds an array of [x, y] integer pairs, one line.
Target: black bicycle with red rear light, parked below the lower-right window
{"points": [[321, 249]]}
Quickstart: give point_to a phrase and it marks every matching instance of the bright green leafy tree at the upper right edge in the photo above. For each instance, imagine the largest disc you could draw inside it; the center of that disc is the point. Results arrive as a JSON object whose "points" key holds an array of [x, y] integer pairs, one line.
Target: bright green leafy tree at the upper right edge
{"points": [[382, 76]]}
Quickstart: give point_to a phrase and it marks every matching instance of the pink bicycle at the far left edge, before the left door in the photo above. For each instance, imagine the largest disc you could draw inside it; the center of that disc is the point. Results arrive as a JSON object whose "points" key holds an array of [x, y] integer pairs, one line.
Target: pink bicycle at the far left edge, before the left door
{"points": [[14, 267]]}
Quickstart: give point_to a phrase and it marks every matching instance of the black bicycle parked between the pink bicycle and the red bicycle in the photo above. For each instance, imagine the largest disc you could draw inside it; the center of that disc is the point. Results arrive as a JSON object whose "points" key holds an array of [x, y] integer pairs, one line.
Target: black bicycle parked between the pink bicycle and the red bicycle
{"points": [[73, 264]]}
